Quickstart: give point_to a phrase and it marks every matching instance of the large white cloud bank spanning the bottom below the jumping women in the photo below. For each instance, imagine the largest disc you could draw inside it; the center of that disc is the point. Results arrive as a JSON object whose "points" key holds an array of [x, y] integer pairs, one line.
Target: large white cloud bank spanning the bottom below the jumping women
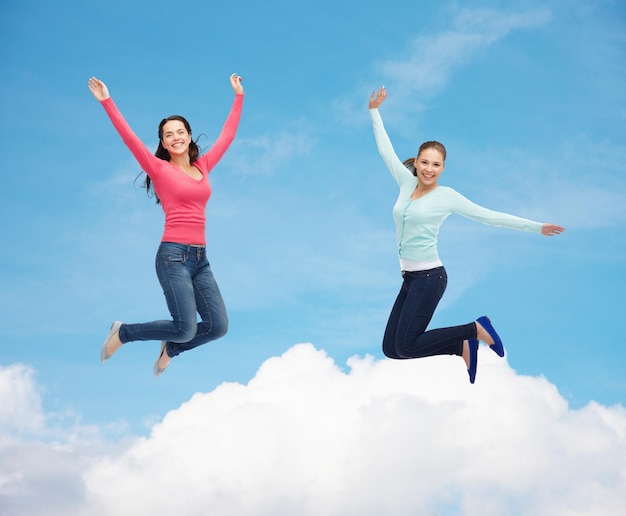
{"points": [[306, 437]]}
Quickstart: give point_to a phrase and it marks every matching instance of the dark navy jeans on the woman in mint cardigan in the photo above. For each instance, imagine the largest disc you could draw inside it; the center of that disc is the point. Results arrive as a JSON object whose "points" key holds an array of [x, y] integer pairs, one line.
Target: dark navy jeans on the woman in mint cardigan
{"points": [[406, 335]]}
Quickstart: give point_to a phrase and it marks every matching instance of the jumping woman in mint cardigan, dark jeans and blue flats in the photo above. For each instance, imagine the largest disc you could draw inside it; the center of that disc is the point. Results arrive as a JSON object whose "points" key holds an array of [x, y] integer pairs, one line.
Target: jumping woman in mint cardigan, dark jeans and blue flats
{"points": [[420, 209]]}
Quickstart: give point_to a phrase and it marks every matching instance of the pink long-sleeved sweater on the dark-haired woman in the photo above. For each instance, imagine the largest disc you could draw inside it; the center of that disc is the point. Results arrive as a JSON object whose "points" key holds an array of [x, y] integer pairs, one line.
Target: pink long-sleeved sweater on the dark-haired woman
{"points": [[183, 198]]}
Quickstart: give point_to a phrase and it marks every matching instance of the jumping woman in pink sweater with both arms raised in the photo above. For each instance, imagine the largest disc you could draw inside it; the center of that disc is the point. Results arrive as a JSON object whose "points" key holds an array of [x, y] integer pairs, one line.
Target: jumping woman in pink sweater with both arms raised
{"points": [[179, 177]]}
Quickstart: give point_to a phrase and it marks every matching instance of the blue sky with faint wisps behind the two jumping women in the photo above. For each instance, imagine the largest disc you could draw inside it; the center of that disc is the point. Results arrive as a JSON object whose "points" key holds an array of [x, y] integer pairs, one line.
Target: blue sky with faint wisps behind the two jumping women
{"points": [[528, 97]]}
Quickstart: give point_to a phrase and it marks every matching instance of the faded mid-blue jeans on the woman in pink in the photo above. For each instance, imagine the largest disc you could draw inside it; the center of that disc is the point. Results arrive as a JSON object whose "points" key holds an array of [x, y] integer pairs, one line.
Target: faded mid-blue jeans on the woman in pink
{"points": [[189, 287]]}
